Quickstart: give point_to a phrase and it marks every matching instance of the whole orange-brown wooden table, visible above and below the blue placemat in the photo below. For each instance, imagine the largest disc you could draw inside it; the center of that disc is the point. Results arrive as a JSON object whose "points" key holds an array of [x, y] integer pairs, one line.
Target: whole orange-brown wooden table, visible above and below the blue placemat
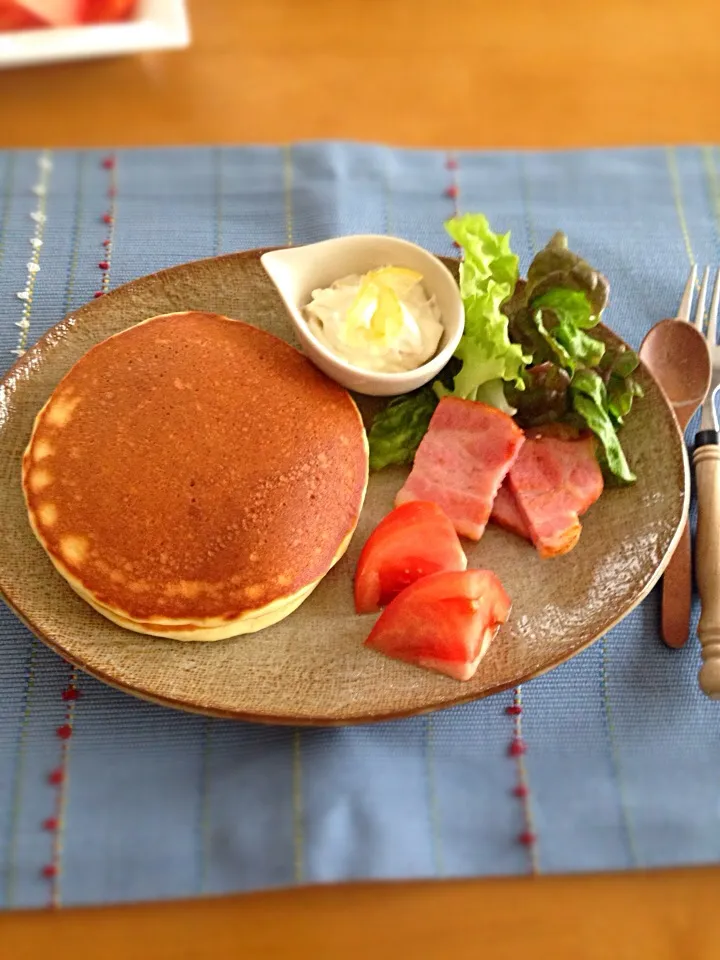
{"points": [[527, 73]]}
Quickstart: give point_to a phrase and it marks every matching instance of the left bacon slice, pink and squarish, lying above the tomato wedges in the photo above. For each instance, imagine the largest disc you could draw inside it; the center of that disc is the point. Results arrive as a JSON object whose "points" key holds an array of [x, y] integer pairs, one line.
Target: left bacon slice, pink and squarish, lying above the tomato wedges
{"points": [[462, 460]]}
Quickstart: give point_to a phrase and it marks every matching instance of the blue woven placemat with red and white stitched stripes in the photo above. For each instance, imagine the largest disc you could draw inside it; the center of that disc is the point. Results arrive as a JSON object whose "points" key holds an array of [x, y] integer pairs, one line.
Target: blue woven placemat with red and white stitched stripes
{"points": [[104, 798]]}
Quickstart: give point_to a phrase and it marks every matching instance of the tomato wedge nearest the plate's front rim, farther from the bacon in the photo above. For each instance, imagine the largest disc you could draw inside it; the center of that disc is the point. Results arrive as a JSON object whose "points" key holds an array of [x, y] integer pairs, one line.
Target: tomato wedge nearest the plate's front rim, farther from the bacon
{"points": [[444, 622]]}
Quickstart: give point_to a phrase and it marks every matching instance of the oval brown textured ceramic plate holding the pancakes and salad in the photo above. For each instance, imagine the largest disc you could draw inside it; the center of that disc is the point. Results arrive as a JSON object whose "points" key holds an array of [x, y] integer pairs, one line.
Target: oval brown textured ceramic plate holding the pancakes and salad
{"points": [[312, 667]]}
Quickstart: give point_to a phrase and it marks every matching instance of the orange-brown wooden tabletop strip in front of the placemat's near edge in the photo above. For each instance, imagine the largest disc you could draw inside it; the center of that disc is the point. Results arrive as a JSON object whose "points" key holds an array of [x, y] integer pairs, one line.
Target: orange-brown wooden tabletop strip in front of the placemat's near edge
{"points": [[655, 916]]}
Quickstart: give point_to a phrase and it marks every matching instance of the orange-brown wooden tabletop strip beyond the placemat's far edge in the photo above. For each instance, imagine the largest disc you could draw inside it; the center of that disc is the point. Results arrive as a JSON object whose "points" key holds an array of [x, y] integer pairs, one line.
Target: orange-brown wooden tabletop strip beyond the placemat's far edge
{"points": [[479, 73]]}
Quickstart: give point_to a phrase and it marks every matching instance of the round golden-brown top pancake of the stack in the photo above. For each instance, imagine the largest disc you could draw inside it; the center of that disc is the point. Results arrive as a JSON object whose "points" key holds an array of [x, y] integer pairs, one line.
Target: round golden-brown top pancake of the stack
{"points": [[195, 468]]}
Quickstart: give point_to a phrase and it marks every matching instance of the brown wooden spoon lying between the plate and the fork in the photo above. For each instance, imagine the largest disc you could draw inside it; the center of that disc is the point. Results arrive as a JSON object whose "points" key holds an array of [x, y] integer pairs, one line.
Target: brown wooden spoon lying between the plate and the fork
{"points": [[676, 354]]}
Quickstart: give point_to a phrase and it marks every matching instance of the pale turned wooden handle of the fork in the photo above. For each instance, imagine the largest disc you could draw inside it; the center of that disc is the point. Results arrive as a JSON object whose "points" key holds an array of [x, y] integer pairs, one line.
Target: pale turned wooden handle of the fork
{"points": [[707, 564]]}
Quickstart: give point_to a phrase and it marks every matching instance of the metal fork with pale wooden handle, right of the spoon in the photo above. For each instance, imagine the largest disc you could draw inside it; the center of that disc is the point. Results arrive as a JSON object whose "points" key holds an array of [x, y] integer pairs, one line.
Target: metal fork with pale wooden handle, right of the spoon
{"points": [[706, 460]]}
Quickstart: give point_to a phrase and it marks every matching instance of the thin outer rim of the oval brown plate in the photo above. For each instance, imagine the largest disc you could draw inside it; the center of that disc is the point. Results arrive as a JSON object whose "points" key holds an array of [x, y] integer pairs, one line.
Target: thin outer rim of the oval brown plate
{"points": [[302, 721]]}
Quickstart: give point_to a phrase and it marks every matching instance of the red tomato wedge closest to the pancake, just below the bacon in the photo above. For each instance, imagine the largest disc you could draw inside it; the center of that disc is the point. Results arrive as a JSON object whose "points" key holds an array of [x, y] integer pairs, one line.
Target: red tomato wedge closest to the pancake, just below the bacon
{"points": [[413, 541]]}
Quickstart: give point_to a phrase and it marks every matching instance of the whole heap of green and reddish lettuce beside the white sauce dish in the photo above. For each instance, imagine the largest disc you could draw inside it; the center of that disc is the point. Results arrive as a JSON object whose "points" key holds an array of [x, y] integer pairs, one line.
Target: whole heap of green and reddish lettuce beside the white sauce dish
{"points": [[525, 349]]}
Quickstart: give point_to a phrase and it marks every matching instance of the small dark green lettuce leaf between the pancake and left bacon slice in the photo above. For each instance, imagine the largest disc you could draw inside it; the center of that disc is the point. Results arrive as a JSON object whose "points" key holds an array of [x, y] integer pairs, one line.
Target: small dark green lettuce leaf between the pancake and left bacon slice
{"points": [[397, 430]]}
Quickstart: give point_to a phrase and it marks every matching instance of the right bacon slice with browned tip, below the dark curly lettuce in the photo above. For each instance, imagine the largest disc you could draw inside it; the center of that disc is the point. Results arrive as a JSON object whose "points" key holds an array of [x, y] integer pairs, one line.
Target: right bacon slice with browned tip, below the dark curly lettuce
{"points": [[554, 481]]}
